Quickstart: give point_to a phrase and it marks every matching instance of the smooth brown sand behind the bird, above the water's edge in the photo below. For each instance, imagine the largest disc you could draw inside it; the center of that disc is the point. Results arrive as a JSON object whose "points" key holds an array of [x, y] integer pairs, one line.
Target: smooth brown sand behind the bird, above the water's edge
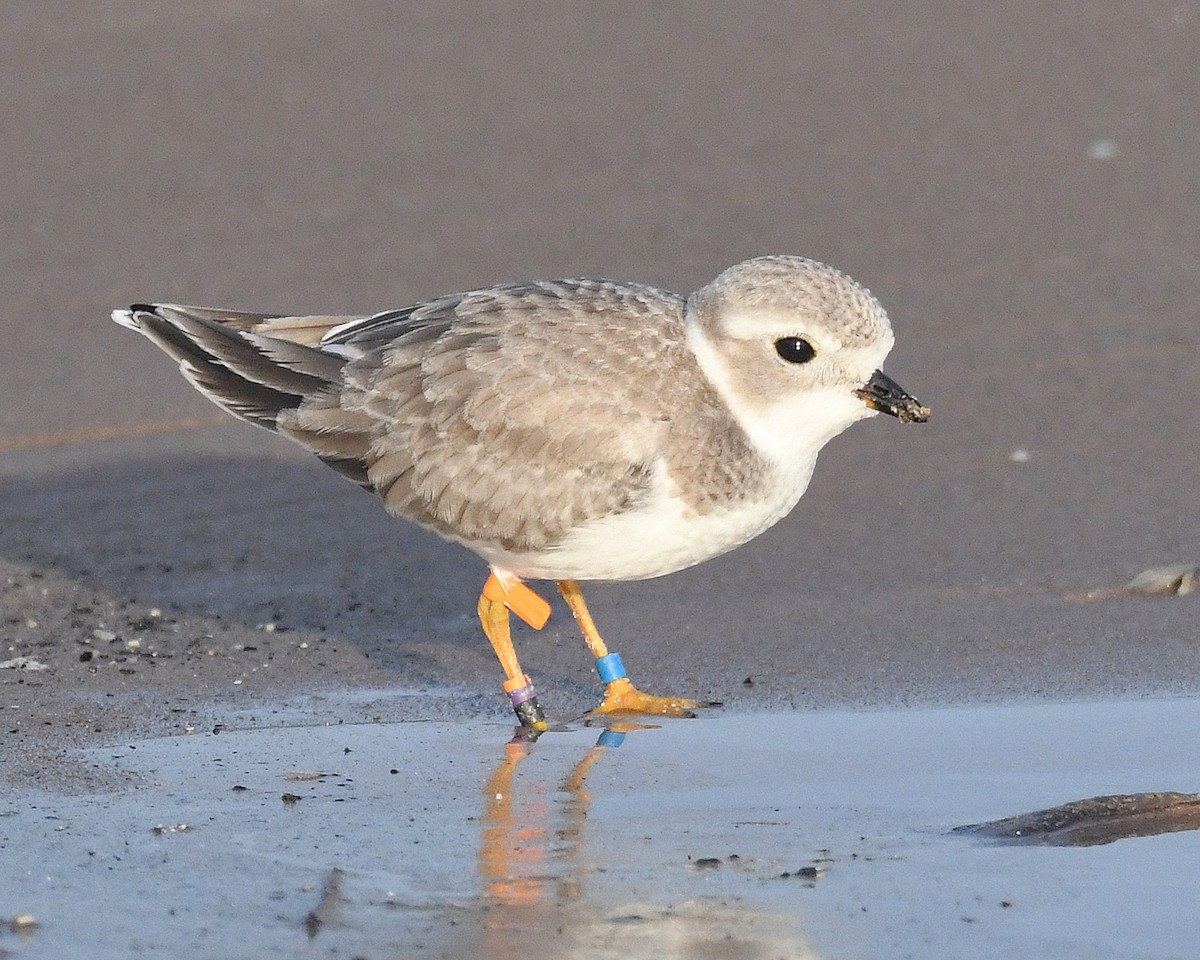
{"points": [[1016, 182]]}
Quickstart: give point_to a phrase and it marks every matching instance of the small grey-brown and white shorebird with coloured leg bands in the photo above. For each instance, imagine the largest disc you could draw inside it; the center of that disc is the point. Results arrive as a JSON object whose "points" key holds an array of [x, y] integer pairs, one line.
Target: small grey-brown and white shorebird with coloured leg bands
{"points": [[568, 430]]}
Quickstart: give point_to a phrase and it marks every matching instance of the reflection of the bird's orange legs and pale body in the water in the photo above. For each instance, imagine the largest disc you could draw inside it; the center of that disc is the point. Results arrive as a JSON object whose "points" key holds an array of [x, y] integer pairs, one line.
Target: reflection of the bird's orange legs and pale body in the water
{"points": [[535, 865]]}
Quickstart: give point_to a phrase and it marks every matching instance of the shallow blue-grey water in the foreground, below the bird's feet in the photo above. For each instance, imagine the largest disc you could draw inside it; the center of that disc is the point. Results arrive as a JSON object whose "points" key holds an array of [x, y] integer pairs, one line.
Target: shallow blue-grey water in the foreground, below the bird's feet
{"points": [[821, 835]]}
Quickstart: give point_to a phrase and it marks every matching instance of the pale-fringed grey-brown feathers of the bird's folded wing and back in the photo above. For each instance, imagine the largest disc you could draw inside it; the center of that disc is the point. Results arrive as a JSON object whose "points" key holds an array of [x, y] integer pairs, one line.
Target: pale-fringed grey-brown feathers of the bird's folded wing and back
{"points": [[479, 428]]}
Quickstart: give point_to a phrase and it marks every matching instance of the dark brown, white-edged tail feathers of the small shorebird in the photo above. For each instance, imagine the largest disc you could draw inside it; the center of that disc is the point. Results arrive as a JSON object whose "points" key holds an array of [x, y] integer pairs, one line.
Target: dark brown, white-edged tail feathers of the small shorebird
{"points": [[262, 369]]}
